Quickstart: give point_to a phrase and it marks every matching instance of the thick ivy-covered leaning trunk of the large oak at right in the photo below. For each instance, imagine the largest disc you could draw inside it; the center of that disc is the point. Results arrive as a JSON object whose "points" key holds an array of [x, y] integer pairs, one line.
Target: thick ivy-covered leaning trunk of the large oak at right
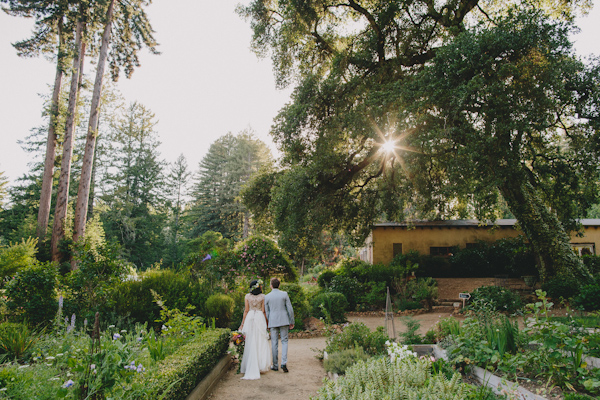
{"points": [[550, 242]]}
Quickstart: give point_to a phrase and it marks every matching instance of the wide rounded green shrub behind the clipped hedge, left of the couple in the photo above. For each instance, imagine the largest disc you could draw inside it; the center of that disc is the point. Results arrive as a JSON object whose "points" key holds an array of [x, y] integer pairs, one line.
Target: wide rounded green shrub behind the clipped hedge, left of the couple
{"points": [[133, 299]]}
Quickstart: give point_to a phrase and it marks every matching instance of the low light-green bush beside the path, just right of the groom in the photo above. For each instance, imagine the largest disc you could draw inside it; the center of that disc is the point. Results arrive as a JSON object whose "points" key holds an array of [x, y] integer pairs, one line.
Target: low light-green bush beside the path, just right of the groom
{"points": [[358, 334]]}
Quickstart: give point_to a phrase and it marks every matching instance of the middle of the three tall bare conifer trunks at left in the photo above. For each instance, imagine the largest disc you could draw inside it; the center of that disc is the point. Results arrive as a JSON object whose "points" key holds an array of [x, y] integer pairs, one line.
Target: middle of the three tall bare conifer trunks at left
{"points": [[62, 201]]}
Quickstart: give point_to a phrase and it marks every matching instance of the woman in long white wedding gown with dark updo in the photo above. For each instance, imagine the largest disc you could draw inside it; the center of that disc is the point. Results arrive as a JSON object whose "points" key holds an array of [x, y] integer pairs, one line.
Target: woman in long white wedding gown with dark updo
{"points": [[257, 351]]}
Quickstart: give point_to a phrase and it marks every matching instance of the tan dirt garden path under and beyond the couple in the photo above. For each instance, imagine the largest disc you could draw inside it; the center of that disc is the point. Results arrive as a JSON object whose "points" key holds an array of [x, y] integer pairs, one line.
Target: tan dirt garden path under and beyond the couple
{"points": [[306, 372]]}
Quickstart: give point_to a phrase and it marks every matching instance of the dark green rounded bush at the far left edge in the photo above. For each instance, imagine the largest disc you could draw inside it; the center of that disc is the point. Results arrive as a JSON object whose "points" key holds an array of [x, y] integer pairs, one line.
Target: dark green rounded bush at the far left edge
{"points": [[31, 293]]}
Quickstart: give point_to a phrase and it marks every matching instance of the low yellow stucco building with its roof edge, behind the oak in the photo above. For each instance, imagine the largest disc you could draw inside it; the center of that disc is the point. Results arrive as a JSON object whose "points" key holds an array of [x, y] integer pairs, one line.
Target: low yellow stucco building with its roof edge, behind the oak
{"points": [[439, 237]]}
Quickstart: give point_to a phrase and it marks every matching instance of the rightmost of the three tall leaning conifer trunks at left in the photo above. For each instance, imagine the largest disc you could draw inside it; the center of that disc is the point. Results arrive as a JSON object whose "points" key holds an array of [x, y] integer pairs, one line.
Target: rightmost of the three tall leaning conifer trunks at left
{"points": [[83, 192]]}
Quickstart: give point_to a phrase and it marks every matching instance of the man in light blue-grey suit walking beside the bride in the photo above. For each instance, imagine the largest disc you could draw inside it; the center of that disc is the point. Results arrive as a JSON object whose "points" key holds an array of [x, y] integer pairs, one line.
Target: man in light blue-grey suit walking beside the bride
{"points": [[280, 315]]}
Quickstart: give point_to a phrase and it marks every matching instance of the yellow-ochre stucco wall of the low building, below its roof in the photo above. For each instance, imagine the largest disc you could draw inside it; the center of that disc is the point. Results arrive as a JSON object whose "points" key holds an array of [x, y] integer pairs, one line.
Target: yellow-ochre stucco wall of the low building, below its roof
{"points": [[381, 241]]}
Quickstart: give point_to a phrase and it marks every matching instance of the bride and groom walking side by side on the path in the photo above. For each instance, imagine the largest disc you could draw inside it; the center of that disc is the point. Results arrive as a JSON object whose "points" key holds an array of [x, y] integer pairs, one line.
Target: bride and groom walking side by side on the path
{"points": [[273, 311]]}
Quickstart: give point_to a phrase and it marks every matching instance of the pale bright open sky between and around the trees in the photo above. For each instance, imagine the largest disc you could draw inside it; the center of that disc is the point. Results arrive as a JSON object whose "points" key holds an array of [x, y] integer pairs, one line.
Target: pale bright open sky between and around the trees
{"points": [[206, 83]]}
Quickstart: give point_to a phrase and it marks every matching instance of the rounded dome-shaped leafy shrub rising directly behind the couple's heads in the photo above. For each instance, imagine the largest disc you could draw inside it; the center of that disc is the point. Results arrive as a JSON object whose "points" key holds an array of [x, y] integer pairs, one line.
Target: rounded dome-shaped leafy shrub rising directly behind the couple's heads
{"points": [[261, 257]]}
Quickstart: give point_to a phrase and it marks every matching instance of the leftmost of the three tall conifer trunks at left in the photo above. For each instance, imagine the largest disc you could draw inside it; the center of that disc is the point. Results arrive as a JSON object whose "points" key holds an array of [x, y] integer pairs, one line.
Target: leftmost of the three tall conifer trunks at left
{"points": [[48, 177]]}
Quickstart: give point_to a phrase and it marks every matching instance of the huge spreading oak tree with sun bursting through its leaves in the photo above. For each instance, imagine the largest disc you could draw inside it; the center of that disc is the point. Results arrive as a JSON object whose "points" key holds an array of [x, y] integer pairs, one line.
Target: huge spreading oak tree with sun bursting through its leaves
{"points": [[444, 85]]}
